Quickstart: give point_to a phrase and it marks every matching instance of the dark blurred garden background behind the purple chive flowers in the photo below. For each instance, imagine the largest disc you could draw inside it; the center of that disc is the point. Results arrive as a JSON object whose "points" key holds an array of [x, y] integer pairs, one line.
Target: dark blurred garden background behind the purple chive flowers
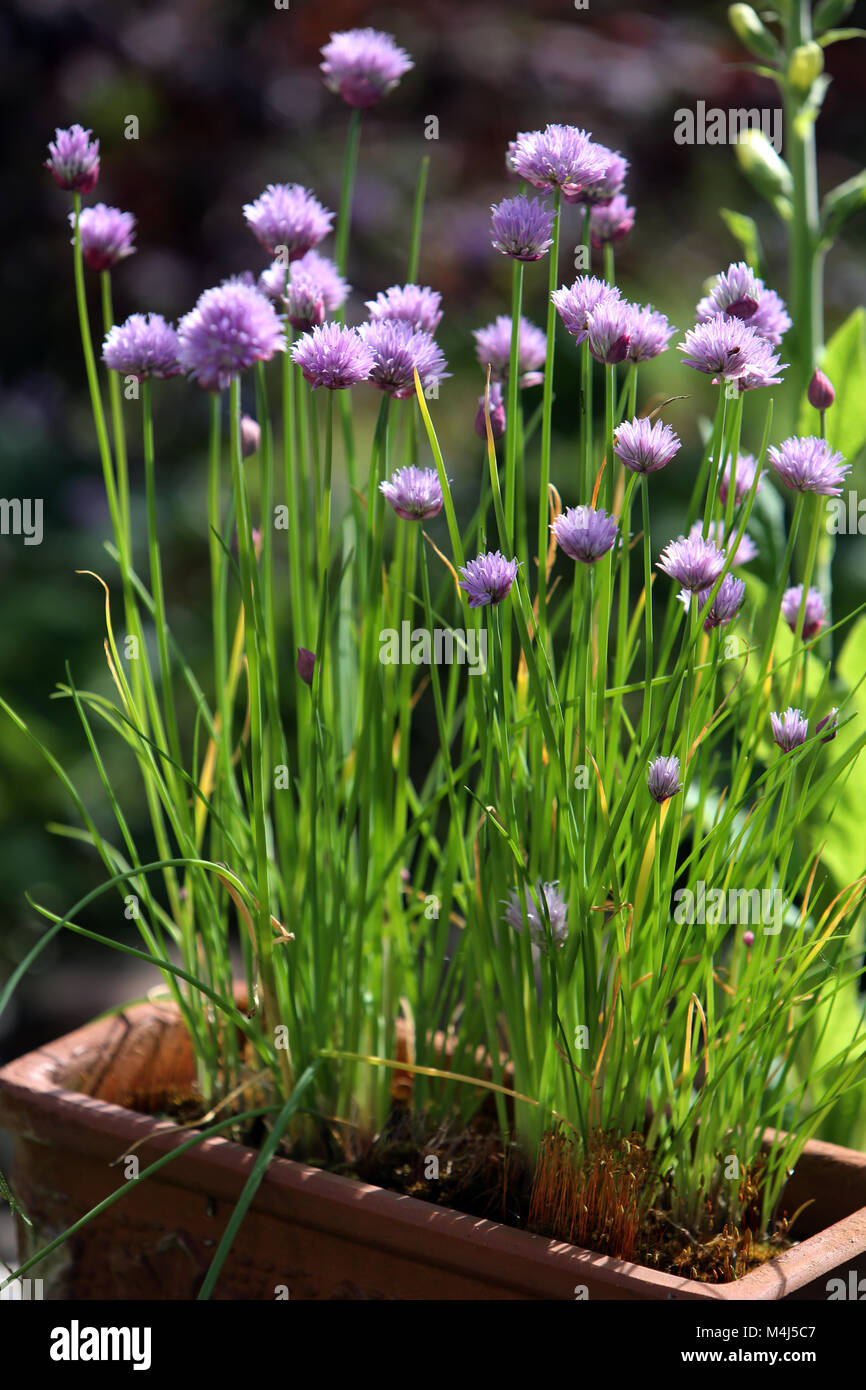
{"points": [[229, 99]]}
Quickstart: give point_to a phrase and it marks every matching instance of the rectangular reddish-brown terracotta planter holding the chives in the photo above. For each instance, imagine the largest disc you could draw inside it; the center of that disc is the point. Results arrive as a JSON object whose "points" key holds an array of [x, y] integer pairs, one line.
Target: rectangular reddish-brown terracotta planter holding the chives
{"points": [[309, 1234]]}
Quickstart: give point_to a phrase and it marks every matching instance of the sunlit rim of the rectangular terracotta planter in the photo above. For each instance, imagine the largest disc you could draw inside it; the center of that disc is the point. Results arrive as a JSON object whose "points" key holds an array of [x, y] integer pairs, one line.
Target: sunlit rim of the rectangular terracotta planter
{"points": [[395, 1221]]}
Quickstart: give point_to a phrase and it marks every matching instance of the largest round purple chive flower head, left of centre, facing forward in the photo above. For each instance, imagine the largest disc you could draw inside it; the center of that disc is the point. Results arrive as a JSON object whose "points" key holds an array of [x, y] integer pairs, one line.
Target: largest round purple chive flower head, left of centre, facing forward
{"points": [[231, 329]]}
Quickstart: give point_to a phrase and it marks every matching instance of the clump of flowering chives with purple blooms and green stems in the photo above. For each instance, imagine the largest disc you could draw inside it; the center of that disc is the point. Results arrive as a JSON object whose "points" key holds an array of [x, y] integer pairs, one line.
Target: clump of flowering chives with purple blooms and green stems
{"points": [[610, 886]]}
